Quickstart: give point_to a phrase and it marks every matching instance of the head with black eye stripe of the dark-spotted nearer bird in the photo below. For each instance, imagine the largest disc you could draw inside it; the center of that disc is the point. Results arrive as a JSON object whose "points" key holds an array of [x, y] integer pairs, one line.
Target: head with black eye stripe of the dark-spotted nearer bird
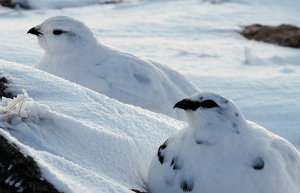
{"points": [[209, 108]]}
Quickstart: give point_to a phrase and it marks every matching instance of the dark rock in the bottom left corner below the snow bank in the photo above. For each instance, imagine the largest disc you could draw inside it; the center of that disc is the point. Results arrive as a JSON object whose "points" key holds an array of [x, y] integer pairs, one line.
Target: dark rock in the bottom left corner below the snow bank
{"points": [[19, 173]]}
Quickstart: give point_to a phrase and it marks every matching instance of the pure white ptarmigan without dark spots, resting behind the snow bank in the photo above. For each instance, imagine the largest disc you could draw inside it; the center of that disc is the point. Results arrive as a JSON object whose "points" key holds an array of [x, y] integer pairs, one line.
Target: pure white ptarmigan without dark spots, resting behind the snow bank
{"points": [[73, 53]]}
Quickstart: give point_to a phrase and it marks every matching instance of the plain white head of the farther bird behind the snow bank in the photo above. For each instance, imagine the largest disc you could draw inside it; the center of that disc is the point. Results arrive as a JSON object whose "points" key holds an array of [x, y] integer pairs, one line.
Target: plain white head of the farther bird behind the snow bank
{"points": [[61, 34]]}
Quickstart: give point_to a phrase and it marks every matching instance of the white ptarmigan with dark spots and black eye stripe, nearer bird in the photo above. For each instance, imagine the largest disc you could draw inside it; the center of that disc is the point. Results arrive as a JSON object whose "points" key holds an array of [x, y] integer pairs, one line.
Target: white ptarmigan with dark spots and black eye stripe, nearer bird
{"points": [[221, 152]]}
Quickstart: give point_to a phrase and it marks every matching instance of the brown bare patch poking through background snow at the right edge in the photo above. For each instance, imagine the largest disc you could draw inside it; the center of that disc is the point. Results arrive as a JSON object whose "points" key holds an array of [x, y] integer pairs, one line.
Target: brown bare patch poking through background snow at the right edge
{"points": [[283, 35]]}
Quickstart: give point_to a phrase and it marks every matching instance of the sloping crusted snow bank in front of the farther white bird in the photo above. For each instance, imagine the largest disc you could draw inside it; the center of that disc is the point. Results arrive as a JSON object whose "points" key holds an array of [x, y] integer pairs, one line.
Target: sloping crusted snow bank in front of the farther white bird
{"points": [[87, 142]]}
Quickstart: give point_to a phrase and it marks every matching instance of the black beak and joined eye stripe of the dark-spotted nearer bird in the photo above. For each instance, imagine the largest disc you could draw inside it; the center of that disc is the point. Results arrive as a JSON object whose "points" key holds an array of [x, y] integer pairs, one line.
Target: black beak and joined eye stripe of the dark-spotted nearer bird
{"points": [[187, 104]]}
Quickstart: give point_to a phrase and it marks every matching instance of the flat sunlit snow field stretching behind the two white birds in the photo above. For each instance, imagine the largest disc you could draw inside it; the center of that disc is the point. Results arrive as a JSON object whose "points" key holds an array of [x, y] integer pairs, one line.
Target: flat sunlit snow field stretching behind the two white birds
{"points": [[202, 43]]}
